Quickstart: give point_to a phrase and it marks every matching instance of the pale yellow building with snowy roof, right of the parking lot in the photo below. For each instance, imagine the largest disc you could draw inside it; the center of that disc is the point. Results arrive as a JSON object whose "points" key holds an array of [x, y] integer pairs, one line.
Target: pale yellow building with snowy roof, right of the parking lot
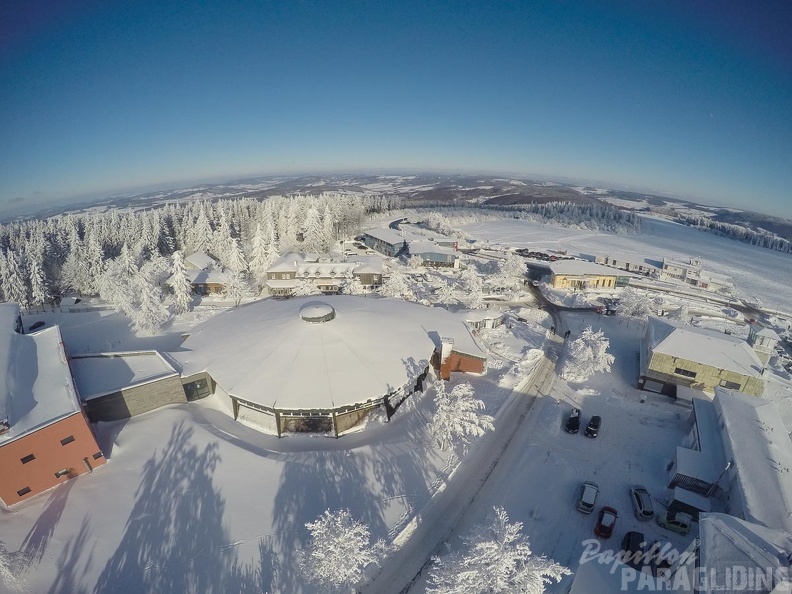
{"points": [[673, 354]]}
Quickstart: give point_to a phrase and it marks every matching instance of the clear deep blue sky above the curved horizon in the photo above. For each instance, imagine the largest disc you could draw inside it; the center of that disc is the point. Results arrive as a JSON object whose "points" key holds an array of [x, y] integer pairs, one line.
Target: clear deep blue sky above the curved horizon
{"points": [[682, 97]]}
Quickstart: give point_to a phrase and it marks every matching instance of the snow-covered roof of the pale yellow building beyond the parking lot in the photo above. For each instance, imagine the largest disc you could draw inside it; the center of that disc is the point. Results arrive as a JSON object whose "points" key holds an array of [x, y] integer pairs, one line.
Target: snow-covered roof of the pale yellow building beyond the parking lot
{"points": [[708, 347]]}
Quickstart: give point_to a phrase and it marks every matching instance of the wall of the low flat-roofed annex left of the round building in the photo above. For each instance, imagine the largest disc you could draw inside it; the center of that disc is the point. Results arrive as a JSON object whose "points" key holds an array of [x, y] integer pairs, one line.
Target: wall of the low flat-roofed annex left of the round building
{"points": [[136, 400]]}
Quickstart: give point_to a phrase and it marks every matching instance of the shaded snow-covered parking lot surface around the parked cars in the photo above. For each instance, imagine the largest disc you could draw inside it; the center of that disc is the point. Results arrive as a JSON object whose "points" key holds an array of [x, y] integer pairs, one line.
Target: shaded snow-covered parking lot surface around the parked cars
{"points": [[540, 485]]}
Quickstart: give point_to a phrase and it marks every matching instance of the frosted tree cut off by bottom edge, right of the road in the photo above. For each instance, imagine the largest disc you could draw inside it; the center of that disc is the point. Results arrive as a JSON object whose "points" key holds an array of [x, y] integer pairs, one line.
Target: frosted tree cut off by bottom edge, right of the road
{"points": [[496, 558]]}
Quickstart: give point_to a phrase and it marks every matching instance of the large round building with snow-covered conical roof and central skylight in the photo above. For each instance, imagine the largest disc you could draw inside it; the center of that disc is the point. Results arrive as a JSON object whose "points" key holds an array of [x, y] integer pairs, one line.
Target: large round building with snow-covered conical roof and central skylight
{"points": [[322, 364]]}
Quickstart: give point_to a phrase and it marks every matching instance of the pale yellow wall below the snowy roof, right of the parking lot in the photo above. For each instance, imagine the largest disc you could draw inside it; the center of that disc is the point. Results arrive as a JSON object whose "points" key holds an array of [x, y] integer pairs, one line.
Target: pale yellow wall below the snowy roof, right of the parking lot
{"points": [[662, 366]]}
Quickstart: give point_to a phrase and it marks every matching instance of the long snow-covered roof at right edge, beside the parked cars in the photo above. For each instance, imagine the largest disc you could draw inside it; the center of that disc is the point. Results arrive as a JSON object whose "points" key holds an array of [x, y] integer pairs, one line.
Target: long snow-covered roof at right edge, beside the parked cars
{"points": [[762, 454]]}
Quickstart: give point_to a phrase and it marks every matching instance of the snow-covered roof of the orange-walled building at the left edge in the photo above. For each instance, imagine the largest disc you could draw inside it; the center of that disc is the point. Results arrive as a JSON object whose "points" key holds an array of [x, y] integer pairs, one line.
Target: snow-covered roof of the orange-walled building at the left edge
{"points": [[36, 388]]}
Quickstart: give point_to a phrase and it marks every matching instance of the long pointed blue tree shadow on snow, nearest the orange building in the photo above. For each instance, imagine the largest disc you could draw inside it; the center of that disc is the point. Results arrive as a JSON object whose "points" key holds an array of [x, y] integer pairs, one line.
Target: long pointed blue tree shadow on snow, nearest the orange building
{"points": [[174, 539]]}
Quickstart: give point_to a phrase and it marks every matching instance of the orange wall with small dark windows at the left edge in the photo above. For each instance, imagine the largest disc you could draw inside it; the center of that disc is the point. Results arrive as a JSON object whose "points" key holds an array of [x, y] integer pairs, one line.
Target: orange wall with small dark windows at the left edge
{"points": [[51, 457]]}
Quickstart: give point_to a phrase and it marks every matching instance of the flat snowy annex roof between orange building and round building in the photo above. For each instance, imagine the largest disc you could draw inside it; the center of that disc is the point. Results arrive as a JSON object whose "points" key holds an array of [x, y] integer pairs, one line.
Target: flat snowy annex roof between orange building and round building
{"points": [[104, 373]]}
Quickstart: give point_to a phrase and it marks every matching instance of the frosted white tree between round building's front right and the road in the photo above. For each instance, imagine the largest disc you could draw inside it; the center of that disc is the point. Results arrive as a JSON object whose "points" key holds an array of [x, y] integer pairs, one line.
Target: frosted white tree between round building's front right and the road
{"points": [[458, 417]]}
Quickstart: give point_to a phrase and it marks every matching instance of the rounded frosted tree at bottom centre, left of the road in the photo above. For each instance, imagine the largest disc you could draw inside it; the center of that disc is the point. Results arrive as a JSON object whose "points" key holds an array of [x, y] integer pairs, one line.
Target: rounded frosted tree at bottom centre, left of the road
{"points": [[338, 551]]}
